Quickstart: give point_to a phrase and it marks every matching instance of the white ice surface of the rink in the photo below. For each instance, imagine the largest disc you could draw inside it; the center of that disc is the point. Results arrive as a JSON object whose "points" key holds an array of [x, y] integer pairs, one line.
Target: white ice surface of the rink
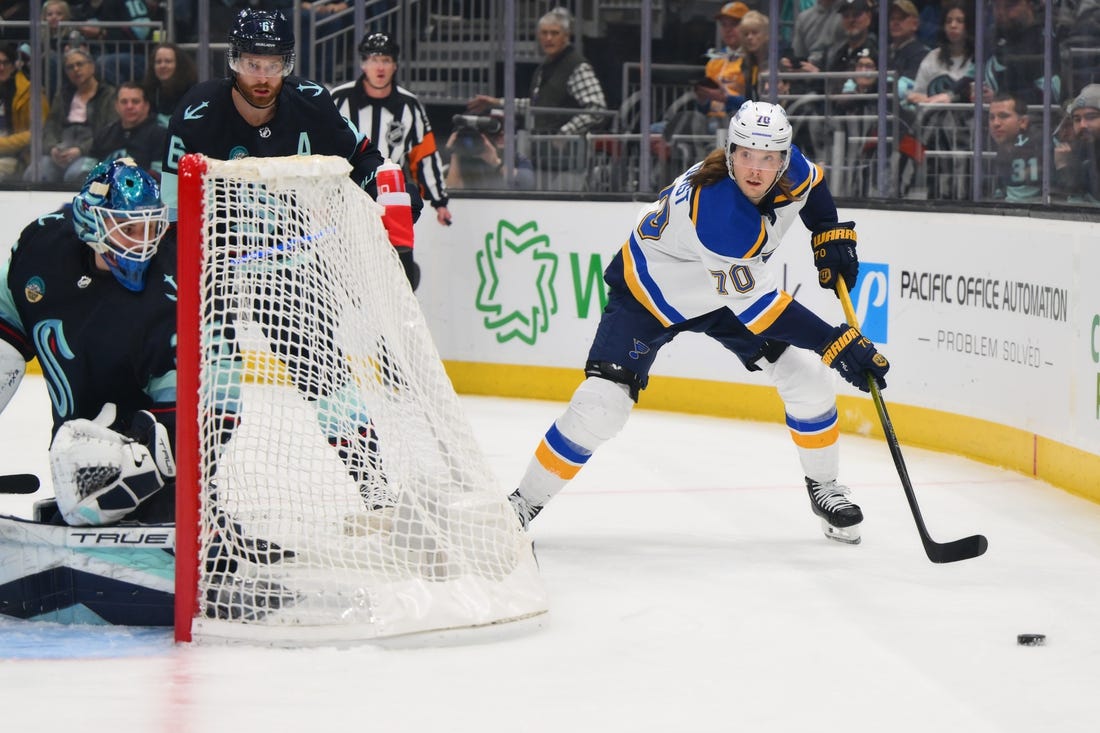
{"points": [[690, 589]]}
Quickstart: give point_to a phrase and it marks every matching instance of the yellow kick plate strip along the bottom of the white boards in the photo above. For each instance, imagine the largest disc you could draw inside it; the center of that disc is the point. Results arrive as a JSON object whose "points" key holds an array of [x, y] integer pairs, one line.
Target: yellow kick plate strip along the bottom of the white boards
{"points": [[1072, 469]]}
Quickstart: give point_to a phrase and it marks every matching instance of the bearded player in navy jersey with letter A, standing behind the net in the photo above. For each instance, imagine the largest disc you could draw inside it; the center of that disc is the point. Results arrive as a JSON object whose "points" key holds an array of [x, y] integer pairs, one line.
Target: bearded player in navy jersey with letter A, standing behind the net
{"points": [[261, 111]]}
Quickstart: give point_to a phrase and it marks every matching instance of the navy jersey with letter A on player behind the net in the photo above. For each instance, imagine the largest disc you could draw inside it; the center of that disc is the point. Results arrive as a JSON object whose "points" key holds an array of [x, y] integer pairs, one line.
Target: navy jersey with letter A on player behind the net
{"points": [[306, 123]]}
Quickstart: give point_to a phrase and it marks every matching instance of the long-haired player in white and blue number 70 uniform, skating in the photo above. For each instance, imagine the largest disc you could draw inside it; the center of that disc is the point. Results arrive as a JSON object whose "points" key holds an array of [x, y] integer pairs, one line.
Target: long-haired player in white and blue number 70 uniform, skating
{"points": [[698, 261]]}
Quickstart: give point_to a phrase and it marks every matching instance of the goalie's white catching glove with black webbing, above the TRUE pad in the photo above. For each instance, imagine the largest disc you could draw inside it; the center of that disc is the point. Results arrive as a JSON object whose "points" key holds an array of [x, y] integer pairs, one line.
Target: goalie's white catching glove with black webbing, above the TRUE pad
{"points": [[102, 476]]}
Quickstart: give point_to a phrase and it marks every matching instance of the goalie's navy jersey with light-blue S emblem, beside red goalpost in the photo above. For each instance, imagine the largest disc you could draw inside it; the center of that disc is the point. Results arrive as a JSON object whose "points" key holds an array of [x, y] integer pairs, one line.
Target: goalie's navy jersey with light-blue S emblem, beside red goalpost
{"points": [[96, 342]]}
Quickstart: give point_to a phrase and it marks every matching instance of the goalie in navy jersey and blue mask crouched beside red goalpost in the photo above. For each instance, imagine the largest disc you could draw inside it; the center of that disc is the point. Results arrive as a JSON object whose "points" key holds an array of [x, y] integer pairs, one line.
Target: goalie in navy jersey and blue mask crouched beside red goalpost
{"points": [[92, 292]]}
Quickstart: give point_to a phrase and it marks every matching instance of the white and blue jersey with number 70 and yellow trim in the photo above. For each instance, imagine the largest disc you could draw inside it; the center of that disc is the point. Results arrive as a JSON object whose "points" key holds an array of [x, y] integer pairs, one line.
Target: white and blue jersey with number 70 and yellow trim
{"points": [[700, 249]]}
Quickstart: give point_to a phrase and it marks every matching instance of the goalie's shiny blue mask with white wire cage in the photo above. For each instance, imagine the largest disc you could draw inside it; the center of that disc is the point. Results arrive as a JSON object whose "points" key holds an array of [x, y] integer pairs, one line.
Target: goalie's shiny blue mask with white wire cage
{"points": [[119, 214]]}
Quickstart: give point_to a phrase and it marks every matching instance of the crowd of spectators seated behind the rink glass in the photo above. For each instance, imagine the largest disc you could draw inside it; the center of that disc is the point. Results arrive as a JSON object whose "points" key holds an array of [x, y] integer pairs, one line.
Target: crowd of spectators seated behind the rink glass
{"points": [[103, 64]]}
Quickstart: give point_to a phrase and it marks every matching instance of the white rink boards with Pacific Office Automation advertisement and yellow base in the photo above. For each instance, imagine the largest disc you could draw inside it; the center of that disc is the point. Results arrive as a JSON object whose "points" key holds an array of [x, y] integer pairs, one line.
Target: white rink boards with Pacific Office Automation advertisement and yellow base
{"points": [[992, 323]]}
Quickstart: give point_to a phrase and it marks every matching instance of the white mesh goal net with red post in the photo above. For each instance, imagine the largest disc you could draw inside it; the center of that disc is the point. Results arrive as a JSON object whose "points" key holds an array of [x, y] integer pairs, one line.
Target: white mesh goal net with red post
{"points": [[331, 488]]}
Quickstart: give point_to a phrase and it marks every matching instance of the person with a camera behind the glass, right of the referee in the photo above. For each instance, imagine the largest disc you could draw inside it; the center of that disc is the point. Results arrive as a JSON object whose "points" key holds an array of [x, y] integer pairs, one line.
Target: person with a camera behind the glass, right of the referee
{"points": [[477, 149]]}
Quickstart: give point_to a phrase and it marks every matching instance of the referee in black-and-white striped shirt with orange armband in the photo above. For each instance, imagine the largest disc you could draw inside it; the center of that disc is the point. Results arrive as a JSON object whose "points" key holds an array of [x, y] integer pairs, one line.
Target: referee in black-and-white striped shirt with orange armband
{"points": [[394, 119]]}
